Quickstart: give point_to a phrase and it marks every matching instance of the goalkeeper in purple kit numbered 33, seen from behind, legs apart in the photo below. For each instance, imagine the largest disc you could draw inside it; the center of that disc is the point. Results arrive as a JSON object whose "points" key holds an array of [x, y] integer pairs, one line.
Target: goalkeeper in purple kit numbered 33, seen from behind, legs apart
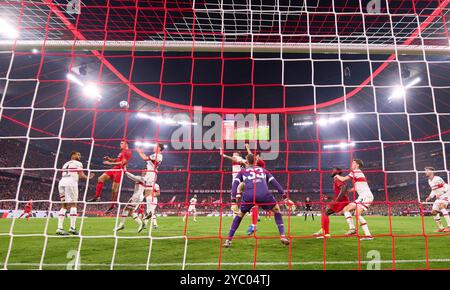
{"points": [[256, 192]]}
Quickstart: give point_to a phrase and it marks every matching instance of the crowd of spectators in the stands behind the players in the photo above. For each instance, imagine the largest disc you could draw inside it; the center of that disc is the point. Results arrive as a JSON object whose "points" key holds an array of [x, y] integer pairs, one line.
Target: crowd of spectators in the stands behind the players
{"points": [[208, 176]]}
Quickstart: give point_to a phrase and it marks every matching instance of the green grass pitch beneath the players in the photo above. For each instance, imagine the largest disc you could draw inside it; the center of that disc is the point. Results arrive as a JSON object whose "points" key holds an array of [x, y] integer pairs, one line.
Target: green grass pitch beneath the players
{"points": [[98, 245]]}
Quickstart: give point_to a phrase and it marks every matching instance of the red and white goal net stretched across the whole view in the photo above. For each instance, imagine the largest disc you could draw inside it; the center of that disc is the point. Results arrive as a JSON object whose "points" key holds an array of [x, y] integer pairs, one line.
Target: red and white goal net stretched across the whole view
{"points": [[309, 85]]}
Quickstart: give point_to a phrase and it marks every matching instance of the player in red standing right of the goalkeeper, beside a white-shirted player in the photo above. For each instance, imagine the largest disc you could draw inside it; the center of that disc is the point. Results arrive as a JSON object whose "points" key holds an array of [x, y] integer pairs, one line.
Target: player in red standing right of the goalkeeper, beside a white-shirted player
{"points": [[339, 202]]}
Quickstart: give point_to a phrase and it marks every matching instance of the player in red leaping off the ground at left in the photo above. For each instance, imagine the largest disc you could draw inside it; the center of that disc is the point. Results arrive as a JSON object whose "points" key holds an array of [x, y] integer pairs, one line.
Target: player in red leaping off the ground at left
{"points": [[115, 174]]}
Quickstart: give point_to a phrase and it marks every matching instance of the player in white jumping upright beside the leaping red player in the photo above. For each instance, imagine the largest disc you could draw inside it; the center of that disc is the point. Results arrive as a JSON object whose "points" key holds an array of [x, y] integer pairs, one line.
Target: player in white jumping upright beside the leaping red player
{"points": [[153, 163]]}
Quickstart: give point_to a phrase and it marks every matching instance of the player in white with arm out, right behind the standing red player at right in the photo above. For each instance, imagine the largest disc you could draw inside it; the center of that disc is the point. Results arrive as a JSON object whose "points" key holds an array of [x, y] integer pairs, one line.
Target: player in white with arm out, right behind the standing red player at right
{"points": [[362, 203]]}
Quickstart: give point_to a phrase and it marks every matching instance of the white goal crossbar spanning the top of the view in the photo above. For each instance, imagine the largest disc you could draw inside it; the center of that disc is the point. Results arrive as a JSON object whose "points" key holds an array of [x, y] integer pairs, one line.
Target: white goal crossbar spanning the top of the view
{"points": [[211, 46]]}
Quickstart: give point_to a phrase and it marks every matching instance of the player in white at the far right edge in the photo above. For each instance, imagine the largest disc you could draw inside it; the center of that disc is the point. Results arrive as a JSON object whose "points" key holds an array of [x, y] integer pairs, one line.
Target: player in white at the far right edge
{"points": [[441, 192]]}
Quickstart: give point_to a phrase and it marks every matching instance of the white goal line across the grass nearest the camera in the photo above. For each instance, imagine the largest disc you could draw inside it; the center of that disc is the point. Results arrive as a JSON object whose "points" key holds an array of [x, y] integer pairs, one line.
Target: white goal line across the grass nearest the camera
{"points": [[238, 263]]}
